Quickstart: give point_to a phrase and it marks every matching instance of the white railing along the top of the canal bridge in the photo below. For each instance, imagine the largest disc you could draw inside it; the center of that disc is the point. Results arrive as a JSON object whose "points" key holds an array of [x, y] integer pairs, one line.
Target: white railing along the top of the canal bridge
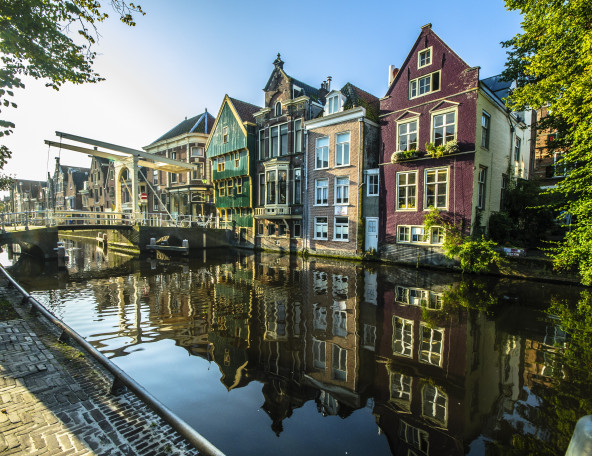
{"points": [[24, 220]]}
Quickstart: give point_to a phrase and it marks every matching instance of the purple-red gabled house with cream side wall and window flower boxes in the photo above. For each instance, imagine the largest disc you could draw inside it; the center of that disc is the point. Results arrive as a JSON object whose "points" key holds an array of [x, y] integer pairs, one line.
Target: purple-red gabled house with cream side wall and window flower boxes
{"points": [[449, 143]]}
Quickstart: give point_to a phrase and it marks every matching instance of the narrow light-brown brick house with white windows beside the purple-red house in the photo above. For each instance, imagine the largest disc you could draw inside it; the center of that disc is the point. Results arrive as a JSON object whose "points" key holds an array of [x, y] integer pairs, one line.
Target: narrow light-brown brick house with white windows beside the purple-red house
{"points": [[342, 175]]}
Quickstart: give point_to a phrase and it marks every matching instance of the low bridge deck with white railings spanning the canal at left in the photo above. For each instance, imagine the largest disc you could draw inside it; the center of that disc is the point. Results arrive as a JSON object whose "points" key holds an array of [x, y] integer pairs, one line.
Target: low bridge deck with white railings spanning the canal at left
{"points": [[37, 231]]}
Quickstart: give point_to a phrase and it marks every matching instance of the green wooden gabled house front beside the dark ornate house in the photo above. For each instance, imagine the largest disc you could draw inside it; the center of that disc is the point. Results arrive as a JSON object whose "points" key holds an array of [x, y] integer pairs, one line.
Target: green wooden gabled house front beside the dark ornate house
{"points": [[231, 147]]}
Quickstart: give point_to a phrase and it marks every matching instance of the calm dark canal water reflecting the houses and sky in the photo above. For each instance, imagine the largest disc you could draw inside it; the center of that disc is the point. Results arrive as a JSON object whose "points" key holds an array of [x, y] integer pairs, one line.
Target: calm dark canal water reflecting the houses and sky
{"points": [[267, 354]]}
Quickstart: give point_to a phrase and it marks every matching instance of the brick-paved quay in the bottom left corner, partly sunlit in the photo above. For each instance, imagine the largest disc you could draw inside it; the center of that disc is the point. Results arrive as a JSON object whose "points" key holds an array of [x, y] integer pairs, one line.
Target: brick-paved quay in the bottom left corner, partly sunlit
{"points": [[55, 401]]}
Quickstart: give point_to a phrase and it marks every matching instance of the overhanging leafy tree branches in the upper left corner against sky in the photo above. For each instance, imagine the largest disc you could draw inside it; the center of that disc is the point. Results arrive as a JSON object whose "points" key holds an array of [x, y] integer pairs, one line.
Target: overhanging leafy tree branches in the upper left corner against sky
{"points": [[35, 41]]}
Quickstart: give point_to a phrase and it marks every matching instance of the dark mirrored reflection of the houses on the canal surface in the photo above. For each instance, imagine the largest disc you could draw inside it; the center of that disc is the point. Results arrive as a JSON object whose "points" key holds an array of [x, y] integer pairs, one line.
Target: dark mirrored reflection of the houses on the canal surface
{"points": [[340, 337]]}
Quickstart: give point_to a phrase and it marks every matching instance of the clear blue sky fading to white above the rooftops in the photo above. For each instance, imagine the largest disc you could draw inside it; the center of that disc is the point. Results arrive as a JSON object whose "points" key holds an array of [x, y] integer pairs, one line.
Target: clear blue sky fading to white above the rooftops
{"points": [[184, 55]]}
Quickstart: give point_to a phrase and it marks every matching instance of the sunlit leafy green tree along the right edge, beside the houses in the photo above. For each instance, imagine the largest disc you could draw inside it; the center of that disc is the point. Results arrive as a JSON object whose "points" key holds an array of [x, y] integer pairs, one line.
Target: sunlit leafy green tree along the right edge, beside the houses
{"points": [[551, 61]]}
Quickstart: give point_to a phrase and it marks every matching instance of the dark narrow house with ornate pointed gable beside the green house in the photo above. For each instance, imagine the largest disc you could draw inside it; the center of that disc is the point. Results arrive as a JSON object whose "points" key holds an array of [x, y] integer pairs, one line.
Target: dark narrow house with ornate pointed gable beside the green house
{"points": [[280, 168]]}
